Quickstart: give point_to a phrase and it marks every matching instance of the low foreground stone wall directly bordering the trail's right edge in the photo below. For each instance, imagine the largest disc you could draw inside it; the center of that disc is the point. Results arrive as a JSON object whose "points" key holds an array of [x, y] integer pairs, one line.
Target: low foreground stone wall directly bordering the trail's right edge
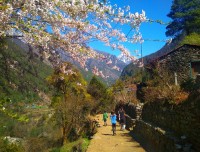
{"points": [[155, 139]]}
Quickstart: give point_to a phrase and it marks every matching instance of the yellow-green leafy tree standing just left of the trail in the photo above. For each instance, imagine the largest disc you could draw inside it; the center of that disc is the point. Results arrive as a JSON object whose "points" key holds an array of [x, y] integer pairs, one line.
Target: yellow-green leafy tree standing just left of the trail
{"points": [[71, 101]]}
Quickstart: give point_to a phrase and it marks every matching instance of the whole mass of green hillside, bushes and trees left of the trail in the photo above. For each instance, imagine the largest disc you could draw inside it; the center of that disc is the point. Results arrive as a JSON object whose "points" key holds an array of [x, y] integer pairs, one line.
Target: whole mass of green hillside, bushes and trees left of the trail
{"points": [[34, 99]]}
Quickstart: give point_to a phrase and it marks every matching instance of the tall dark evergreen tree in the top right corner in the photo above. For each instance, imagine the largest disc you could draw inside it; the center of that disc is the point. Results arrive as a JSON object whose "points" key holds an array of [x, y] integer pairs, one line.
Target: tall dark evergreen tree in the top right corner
{"points": [[185, 15]]}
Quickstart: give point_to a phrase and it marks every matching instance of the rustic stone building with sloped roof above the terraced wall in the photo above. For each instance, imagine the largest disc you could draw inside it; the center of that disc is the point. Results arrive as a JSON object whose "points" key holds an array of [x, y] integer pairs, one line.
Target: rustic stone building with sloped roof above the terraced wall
{"points": [[182, 63]]}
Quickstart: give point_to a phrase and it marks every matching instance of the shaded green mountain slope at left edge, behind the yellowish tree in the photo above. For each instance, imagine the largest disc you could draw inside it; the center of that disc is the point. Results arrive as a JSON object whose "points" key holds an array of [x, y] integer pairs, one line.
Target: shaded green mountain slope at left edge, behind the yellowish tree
{"points": [[22, 75]]}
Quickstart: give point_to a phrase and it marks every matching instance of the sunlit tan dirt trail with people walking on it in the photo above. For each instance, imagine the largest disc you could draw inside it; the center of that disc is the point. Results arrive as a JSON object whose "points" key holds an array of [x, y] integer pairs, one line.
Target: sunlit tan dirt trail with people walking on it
{"points": [[104, 141]]}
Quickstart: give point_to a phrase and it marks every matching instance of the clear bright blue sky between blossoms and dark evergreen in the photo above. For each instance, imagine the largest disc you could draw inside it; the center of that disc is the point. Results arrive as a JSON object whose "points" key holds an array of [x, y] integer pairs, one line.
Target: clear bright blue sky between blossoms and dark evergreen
{"points": [[155, 10]]}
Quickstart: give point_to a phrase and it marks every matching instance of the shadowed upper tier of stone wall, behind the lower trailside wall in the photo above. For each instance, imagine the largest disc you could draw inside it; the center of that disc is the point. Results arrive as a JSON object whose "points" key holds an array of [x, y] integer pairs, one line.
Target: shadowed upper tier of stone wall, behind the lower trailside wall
{"points": [[182, 120]]}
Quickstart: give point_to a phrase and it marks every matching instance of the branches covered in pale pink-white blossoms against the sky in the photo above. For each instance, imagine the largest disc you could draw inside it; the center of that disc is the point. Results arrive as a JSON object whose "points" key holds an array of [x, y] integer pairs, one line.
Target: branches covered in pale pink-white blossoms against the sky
{"points": [[70, 25]]}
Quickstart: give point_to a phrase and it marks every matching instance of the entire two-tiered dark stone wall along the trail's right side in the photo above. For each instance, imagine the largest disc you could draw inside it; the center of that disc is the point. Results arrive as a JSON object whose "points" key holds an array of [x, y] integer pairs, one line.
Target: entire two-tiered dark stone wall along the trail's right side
{"points": [[165, 127]]}
